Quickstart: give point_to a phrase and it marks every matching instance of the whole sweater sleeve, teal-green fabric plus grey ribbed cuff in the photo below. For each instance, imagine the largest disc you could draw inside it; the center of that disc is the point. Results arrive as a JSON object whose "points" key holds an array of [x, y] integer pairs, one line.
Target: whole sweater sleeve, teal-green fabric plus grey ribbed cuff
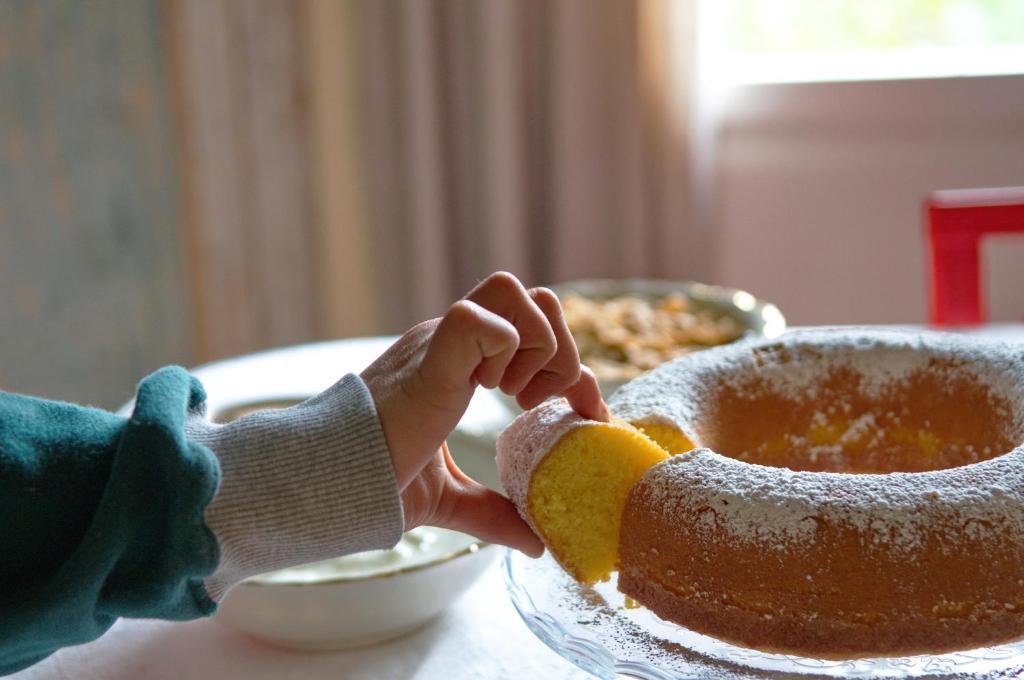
{"points": [[159, 515]]}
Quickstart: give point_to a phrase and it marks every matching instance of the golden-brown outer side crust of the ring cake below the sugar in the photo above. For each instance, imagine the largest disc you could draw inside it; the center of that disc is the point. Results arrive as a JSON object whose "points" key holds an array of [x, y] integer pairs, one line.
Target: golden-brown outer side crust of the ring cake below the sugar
{"points": [[835, 593]]}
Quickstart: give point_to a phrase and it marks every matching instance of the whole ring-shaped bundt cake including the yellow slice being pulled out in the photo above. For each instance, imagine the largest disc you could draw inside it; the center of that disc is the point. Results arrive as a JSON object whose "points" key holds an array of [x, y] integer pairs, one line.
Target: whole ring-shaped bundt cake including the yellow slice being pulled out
{"points": [[832, 494]]}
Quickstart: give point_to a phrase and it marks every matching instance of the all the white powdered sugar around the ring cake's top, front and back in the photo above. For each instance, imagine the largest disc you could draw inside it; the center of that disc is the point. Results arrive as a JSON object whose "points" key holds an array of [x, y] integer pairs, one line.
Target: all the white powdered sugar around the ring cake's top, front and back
{"points": [[776, 507]]}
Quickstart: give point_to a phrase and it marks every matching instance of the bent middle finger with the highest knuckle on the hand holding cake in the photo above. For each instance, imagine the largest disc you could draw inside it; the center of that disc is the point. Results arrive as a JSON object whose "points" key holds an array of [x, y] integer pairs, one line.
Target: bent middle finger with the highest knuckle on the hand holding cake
{"points": [[504, 295]]}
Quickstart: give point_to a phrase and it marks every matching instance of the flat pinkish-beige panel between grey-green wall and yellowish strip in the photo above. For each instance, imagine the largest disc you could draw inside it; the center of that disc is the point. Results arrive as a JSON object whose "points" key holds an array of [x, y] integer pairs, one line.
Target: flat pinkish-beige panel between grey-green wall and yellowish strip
{"points": [[245, 174]]}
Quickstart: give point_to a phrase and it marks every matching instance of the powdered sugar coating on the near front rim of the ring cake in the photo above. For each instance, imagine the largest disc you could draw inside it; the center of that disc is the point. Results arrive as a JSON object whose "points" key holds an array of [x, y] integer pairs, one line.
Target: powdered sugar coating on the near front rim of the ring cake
{"points": [[776, 507]]}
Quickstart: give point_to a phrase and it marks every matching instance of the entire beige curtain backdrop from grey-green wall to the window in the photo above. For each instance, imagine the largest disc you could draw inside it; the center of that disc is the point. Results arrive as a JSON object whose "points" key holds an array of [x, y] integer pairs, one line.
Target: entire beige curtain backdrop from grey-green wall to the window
{"points": [[352, 166]]}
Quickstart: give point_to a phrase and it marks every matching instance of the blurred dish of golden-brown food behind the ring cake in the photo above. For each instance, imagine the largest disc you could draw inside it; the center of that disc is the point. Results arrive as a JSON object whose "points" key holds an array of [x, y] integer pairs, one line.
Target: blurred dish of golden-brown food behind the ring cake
{"points": [[625, 328]]}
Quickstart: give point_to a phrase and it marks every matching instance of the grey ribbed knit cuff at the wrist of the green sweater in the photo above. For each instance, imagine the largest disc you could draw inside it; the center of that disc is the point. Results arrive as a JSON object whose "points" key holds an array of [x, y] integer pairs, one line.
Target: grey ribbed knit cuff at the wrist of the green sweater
{"points": [[301, 485]]}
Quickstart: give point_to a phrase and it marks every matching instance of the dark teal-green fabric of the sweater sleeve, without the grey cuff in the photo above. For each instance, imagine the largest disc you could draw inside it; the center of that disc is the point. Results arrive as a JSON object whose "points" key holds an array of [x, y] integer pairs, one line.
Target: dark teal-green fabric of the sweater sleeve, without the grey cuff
{"points": [[102, 518]]}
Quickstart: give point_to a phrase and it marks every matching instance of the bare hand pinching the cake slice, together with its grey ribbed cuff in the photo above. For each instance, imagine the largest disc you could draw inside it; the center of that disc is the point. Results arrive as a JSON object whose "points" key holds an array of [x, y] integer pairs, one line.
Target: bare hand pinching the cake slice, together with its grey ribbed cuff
{"points": [[324, 479]]}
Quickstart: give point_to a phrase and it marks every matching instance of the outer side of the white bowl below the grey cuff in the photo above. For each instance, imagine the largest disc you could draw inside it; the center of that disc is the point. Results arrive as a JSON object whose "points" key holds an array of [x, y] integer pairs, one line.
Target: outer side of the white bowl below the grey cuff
{"points": [[348, 613]]}
